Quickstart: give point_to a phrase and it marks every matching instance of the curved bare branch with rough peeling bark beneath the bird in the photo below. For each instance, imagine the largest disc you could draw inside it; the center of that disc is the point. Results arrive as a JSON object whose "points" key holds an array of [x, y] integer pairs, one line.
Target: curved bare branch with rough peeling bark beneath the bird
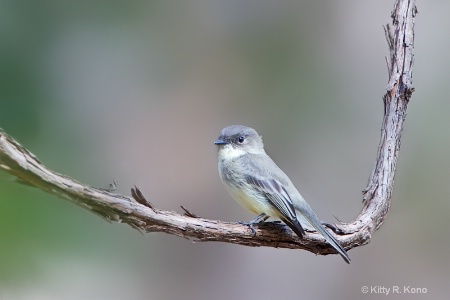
{"points": [[139, 213]]}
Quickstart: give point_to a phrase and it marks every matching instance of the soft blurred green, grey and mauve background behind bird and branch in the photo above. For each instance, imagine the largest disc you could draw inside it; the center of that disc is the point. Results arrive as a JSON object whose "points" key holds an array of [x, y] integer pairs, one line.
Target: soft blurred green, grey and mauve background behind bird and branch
{"points": [[137, 92]]}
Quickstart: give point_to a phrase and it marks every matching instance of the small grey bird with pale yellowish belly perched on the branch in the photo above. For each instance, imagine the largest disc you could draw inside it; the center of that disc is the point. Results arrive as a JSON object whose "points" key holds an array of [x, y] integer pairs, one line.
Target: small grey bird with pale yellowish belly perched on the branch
{"points": [[258, 184]]}
